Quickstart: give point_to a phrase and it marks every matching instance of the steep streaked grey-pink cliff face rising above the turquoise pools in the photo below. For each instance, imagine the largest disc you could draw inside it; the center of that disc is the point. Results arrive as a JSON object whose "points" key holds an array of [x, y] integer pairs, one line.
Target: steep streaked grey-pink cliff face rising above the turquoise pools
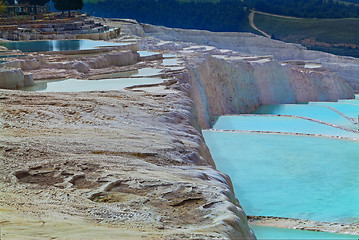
{"points": [[222, 87]]}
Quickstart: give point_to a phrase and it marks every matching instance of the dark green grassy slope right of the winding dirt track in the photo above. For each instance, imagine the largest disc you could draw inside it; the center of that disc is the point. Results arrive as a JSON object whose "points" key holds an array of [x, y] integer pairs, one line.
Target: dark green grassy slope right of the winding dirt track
{"points": [[332, 31]]}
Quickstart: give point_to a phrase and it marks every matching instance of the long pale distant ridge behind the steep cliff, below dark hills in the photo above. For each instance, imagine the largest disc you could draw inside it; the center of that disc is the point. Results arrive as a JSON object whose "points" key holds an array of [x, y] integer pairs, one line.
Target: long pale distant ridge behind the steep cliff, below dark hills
{"points": [[251, 44]]}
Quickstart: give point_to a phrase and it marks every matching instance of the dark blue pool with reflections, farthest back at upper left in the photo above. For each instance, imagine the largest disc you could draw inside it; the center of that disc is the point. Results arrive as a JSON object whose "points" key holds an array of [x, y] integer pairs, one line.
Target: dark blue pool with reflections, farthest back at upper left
{"points": [[57, 45]]}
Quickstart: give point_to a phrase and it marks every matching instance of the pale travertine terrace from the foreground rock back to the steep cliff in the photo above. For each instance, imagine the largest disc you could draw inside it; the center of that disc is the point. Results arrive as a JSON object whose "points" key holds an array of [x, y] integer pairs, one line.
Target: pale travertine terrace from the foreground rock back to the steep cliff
{"points": [[132, 163]]}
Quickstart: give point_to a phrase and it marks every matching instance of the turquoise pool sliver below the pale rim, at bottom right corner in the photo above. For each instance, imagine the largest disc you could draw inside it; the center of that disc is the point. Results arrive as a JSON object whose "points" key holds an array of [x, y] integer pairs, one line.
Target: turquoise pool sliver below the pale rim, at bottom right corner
{"points": [[265, 233]]}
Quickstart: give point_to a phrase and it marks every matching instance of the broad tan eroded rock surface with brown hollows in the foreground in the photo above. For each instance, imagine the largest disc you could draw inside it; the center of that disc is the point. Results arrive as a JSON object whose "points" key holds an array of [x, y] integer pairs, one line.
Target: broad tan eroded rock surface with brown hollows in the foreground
{"points": [[130, 159]]}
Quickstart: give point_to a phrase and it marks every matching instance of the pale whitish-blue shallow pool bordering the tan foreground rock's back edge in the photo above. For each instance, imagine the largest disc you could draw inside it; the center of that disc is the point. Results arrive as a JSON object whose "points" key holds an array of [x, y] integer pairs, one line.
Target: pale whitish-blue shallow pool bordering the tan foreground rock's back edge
{"points": [[76, 85]]}
